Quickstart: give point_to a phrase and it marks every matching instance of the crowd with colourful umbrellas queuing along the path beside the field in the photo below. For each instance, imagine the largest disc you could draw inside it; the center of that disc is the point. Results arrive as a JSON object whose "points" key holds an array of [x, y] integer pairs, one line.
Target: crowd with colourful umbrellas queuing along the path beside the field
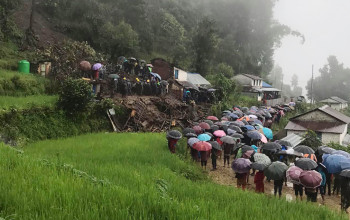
{"points": [[244, 135]]}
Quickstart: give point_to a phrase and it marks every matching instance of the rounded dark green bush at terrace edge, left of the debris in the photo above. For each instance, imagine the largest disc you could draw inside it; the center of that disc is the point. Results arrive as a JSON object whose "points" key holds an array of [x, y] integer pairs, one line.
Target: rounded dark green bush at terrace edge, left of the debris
{"points": [[75, 96]]}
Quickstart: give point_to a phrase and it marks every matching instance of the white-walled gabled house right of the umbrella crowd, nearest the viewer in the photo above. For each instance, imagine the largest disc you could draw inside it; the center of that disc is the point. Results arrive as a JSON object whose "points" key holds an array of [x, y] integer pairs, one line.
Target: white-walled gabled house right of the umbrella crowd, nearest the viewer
{"points": [[329, 124]]}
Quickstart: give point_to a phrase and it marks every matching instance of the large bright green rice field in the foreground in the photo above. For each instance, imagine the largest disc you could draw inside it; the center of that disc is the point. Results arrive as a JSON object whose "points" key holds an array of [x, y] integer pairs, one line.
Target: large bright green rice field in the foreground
{"points": [[125, 176]]}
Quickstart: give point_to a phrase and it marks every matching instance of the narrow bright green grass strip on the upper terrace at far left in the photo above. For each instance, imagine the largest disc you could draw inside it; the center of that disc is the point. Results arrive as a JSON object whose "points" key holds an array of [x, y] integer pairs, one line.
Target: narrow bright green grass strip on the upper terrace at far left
{"points": [[8, 102]]}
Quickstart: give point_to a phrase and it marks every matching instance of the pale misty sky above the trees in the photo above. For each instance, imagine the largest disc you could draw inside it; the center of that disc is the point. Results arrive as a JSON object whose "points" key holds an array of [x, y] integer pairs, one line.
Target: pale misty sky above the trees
{"points": [[326, 27]]}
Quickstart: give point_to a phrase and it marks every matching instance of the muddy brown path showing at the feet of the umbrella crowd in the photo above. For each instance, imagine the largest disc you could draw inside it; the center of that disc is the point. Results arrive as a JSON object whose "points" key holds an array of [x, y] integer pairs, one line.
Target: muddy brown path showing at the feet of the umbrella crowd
{"points": [[225, 176]]}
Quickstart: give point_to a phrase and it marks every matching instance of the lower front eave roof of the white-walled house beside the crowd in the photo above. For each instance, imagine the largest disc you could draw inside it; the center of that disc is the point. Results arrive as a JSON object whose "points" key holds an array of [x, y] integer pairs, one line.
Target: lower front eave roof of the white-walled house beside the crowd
{"points": [[323, 127]]}
